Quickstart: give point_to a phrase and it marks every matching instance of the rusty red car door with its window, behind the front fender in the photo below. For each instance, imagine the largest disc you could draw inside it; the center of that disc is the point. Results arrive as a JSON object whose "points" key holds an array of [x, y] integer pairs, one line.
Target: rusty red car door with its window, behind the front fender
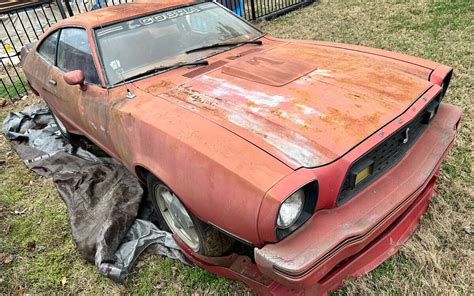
{"points": [[88, 108]]}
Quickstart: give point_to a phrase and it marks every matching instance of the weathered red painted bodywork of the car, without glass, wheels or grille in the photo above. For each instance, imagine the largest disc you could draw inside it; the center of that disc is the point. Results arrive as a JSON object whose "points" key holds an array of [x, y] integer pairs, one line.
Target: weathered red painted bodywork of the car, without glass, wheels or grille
{"points": [[243, 133]]}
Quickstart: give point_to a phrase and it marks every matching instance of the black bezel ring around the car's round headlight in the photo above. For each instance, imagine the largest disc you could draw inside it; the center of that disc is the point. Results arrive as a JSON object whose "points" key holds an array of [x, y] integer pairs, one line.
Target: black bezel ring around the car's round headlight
{"points": [[311, 190]]}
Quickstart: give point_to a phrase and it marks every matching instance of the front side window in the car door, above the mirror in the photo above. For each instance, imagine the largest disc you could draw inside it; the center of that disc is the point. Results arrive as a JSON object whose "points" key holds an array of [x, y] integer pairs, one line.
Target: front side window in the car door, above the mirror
{"points": [[74, 53]]}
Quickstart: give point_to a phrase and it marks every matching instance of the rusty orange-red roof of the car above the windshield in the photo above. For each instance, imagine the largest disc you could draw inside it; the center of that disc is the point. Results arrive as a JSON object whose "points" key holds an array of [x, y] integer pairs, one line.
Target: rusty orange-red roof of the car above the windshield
{"points": [[118, 12]]}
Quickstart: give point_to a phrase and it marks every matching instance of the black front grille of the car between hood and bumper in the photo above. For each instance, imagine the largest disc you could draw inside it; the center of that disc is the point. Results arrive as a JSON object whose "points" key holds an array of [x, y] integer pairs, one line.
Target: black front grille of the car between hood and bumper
{"points": [[387, 153]]}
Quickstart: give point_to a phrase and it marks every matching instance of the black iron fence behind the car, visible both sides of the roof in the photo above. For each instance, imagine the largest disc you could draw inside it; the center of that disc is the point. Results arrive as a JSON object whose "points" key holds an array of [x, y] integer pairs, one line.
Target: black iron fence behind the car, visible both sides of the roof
{"points": [[24, 21]]}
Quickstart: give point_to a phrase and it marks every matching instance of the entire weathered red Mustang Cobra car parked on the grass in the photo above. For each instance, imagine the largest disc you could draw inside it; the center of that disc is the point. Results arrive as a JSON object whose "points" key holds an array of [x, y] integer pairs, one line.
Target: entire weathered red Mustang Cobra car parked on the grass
{"points": [[318, 157]]}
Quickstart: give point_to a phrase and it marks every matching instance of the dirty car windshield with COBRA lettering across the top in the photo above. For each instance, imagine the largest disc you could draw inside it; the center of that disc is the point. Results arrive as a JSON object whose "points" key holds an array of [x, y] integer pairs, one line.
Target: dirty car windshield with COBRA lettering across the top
{"points": [[162, 39]]}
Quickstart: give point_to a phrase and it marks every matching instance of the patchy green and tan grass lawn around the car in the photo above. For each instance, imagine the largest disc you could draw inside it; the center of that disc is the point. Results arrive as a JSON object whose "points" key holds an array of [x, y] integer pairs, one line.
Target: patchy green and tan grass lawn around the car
{"points": [[438, 259]]}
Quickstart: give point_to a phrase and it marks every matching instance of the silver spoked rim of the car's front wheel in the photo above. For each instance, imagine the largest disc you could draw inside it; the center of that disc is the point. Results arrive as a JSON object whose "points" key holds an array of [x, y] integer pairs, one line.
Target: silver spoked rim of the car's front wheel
{"points": [[176, 216]]}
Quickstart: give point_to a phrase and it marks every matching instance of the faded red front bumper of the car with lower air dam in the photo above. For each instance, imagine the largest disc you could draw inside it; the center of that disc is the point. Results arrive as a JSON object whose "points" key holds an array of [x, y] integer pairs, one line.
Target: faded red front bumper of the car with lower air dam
{"points": [[356, 237]]}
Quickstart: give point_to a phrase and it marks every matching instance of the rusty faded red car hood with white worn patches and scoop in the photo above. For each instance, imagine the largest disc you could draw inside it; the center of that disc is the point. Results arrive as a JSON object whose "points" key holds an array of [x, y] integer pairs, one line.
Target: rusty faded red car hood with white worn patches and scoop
{"points": [[305, 104]]}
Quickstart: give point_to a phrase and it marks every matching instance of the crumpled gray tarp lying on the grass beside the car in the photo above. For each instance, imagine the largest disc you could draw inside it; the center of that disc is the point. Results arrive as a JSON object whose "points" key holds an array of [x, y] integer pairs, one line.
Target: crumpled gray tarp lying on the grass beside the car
{"points": [[108, 218]]}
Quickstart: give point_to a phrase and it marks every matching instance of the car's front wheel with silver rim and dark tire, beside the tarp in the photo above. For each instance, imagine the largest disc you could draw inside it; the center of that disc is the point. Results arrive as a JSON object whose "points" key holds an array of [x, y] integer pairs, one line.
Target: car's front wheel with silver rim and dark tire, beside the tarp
{"points": [[174, 217]]}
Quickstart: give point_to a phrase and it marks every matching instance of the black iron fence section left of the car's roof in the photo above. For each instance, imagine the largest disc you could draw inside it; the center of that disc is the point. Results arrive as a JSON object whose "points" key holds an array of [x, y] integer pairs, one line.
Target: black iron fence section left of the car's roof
{"points": [[23, 22]]}
